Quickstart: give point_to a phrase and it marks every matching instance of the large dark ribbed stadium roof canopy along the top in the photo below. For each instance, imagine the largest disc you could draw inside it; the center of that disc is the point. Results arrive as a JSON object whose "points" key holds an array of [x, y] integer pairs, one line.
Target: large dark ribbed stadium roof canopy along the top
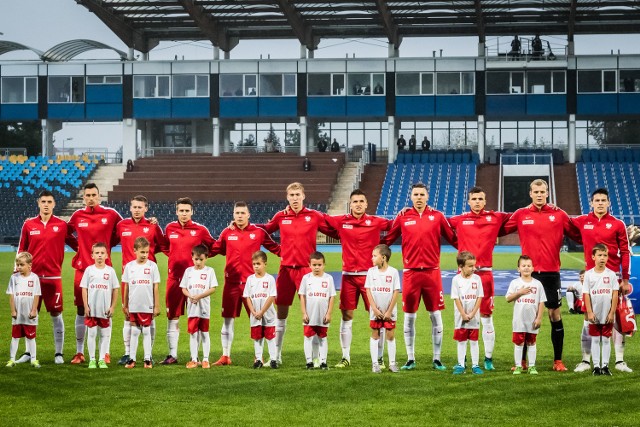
{"points": [[142, 24]]}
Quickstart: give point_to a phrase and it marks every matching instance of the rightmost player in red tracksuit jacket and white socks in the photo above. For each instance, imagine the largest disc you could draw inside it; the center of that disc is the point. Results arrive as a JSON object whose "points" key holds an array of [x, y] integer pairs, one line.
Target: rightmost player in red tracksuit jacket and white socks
{"points": [[599, 226]]}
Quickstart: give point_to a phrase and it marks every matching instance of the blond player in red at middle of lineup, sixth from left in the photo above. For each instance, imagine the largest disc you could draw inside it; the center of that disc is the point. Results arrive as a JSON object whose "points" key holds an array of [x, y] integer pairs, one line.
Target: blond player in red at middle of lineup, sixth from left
{"points": [[298, 228]]}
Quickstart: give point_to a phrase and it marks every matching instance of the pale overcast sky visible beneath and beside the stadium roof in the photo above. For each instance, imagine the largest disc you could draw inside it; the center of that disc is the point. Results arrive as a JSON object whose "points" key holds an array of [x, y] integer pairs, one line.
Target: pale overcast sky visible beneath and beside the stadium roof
{"points": [[41, 24]]}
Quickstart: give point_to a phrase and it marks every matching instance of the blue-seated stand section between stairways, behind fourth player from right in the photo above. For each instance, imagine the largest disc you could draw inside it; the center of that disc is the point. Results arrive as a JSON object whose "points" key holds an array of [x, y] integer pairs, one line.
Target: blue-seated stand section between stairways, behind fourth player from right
{"points": [[444, 173]]}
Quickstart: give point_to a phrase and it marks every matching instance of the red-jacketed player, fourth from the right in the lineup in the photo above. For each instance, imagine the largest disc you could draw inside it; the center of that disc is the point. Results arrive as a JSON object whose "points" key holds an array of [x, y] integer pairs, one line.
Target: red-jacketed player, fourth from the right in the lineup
{"points": [[421, 228]]}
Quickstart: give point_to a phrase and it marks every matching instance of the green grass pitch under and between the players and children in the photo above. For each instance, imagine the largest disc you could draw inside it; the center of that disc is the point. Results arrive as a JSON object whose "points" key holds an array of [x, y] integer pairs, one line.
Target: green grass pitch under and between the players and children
{"points": [[238, 395]]}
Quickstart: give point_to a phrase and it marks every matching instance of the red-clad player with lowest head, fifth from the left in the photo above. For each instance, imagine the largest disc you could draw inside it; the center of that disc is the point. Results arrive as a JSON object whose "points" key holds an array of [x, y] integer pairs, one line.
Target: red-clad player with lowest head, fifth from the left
{"points": [[238, 243]]}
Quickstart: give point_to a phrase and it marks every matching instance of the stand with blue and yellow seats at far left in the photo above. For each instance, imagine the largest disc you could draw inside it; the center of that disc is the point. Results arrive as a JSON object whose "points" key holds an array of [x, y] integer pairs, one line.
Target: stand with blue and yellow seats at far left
{"points": [[22, 178]]}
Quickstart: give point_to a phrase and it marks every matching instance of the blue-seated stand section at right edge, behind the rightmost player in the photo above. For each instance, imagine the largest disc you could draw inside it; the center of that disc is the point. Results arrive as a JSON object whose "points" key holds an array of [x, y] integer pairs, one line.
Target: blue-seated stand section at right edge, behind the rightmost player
{"points": [[618, 170]]}
